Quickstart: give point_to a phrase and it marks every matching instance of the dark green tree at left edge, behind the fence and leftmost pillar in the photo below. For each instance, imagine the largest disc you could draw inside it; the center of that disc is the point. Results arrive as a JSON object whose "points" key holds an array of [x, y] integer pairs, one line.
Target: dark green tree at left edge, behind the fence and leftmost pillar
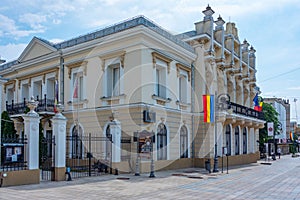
{"points": [[7, 126]]}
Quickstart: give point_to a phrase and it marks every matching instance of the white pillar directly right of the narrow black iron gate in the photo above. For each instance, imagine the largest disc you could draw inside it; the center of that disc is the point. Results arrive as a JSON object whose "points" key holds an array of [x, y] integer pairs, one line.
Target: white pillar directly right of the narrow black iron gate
{"points": [[59, 131]]}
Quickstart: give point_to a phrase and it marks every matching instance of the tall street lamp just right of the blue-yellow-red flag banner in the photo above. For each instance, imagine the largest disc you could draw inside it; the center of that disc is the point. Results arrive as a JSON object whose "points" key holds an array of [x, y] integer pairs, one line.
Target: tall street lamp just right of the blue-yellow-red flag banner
{"points": [[222, 104]]}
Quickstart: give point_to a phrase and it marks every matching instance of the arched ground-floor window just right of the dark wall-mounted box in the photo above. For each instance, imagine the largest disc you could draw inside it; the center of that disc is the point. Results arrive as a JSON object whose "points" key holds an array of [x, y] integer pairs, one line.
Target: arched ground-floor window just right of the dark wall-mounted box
{"points": [[161, 142]]}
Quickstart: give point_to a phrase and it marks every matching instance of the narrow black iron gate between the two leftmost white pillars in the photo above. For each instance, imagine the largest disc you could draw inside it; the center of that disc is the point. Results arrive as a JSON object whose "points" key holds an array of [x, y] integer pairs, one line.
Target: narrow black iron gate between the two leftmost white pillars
{"points": [[47, 153]]}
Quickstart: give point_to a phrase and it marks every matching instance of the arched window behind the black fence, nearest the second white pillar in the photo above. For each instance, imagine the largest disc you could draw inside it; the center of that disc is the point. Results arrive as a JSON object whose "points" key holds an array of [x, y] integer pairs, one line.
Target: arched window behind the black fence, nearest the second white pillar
{"points": [[76, 142]]}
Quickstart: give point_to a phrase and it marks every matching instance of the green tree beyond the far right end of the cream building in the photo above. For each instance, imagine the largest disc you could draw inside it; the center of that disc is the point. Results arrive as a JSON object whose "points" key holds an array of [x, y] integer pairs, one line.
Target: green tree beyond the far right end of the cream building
{"points": [[270, 115]]}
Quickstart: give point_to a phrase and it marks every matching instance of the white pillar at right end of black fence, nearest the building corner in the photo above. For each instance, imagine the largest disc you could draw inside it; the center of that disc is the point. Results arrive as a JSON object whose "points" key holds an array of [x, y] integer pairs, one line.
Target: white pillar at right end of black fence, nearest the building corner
{"points": [[115, 131]]}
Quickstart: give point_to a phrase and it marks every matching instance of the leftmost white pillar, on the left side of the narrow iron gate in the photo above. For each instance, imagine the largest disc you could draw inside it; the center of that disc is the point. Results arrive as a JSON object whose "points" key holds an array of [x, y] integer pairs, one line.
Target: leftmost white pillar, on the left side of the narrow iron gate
{"points": [[31, 128]]}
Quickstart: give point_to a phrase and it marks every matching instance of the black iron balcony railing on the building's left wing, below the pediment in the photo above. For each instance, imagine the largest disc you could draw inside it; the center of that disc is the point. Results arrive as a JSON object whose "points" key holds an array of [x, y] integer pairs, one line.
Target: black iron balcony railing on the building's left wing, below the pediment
{"points": [[45, 105]]}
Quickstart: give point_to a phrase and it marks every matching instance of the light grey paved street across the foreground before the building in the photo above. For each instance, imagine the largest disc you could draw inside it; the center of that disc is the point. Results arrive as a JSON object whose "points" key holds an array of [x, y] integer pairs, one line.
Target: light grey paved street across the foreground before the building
{"points": [[256, 181]]}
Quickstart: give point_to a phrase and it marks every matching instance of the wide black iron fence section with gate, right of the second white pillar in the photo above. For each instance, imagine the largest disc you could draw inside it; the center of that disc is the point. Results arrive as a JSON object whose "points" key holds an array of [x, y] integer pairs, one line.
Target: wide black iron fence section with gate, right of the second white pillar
{"points": [[88, 155]]}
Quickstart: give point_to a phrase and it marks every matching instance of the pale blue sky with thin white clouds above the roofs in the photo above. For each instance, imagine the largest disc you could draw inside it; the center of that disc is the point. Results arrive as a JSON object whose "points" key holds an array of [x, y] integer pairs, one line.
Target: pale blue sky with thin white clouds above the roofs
{"points": [[271, 26]]}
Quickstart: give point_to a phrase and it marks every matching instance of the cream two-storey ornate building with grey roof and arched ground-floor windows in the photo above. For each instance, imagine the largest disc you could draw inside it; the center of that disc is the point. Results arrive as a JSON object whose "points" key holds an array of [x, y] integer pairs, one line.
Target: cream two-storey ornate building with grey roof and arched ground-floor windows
{"points": [[136, 77]]}
